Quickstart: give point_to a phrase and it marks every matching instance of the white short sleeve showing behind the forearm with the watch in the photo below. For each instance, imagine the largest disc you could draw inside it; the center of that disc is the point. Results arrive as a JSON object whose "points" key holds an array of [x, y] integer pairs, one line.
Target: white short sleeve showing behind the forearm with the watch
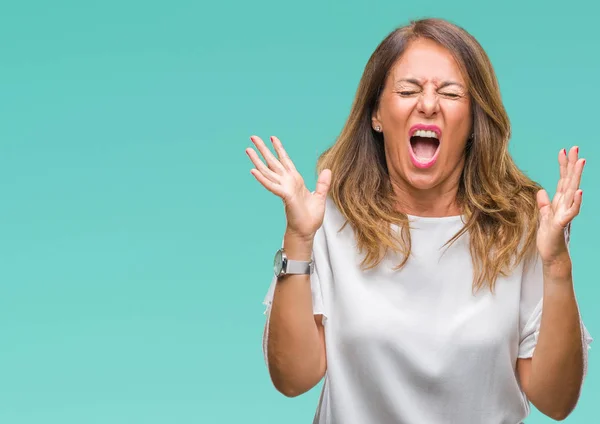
{"points": [[320, 275]]}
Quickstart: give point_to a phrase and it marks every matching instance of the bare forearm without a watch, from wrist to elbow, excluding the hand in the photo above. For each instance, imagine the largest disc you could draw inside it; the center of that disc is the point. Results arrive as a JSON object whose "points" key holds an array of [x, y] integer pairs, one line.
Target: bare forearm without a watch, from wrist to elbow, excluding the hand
{"points": [[557, 364]]}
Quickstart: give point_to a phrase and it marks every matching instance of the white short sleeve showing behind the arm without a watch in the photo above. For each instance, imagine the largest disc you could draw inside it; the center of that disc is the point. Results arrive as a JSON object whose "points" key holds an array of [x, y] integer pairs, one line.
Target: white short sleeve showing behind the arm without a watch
{"points": [[531, 306]]}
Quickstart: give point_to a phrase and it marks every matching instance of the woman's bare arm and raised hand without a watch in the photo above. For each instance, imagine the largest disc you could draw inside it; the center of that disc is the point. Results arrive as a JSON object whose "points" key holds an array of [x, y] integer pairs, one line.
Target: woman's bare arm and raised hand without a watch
{"points": [[553, 377]]}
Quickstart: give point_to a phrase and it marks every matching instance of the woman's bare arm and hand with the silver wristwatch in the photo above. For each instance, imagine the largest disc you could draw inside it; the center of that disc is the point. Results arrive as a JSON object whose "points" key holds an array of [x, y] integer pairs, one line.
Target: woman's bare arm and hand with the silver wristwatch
{"points": [[295, 337]]}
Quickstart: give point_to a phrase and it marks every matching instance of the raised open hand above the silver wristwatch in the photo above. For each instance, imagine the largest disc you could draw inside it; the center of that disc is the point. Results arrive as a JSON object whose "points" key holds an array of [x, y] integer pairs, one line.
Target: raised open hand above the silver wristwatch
{"points": [[304, 210]]}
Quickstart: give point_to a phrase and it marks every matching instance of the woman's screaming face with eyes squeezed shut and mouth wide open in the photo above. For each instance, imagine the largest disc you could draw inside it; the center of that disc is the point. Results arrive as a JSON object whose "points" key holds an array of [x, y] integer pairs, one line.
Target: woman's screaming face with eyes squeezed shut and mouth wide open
{"points": [[425, 116]]}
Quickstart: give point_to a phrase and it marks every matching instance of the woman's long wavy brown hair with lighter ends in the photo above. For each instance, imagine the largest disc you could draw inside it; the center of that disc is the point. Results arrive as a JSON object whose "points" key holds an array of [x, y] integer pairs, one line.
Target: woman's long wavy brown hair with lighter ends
{"points": [[497, 200]]}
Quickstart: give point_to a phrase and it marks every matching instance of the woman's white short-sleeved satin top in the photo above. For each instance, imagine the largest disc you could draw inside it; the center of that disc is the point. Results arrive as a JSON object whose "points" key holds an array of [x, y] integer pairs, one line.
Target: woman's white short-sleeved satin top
{"points": [[416, 345]]}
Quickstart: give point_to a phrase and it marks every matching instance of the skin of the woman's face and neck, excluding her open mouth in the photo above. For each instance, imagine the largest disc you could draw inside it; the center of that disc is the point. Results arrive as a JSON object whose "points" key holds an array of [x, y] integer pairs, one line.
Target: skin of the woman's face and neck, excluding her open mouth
{"points": [[425, 87]]}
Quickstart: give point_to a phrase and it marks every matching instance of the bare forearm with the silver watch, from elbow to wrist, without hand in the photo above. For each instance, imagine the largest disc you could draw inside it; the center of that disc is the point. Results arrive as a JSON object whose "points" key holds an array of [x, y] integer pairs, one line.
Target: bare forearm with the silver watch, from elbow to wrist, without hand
{"points": [[295, 347]]}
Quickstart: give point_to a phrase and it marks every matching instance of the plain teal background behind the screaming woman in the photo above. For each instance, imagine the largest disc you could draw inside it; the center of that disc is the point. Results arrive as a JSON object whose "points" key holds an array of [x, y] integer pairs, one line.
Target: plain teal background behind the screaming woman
{"points": [[135, 246]]}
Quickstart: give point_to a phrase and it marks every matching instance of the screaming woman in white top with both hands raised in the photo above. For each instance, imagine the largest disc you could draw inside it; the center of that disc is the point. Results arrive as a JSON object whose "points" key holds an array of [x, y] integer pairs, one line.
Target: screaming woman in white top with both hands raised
{"points": [[418, 268]]}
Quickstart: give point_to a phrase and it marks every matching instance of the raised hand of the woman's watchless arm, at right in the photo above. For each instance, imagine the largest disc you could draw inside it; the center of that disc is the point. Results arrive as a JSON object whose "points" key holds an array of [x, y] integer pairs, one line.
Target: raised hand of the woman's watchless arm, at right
{"points": [[555, 216]]}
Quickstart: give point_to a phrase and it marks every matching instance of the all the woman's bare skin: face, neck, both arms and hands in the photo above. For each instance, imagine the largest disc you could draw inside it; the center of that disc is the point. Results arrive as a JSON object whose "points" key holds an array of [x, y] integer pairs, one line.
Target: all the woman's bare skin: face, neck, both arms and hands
{"points": [[425, 86]]}
